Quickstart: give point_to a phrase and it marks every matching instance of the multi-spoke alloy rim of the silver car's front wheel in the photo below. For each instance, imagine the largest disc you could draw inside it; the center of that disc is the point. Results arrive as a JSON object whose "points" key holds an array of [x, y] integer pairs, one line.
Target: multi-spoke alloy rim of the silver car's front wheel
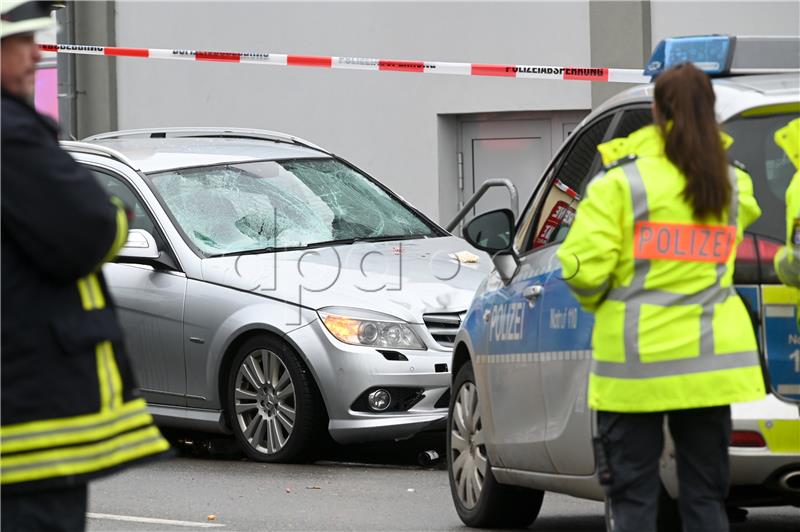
{"points": [[264, 400]]}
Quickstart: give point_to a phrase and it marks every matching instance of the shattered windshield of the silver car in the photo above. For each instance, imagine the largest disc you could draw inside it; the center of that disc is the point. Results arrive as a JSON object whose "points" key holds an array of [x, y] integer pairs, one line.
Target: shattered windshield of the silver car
{"points": [[278, 204]]}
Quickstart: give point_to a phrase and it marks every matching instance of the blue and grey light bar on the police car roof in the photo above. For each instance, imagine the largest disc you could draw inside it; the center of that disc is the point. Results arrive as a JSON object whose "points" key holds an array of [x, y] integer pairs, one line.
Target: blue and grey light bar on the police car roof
{"points": [[720, 55]]}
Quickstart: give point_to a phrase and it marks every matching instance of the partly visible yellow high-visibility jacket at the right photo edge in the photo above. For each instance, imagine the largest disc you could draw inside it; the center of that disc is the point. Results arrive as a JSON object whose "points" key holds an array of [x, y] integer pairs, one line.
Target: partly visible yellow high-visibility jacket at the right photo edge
{"points": [[787, 260]]}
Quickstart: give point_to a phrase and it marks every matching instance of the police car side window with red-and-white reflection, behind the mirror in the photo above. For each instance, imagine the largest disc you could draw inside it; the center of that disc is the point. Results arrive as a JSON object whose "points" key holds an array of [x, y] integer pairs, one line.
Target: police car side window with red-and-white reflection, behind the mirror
{"points": [[558, 208]]}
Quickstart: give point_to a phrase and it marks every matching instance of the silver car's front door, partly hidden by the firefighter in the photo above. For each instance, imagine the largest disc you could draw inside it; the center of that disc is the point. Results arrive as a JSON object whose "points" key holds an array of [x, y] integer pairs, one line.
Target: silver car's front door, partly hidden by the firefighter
{"points": [[150, 304]]}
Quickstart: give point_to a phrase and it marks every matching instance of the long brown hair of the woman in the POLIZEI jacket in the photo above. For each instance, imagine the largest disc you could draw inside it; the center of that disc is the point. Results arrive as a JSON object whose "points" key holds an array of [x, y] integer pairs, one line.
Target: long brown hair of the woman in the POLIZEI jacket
{"points": [[684, 96]]}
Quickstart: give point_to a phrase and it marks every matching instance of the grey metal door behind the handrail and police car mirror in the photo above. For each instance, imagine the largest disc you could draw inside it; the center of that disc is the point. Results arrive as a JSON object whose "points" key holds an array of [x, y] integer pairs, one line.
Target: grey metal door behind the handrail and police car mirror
{"points": [[513, 149]]}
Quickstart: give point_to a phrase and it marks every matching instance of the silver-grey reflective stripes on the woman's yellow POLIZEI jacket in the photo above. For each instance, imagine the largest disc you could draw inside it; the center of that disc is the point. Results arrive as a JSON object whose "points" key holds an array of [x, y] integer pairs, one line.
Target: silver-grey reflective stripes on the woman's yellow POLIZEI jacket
{"points": [[635, 295]]}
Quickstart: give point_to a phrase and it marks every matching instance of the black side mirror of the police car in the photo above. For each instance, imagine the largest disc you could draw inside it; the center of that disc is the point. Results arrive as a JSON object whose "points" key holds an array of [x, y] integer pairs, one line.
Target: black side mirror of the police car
{"points": [[493, 232]]}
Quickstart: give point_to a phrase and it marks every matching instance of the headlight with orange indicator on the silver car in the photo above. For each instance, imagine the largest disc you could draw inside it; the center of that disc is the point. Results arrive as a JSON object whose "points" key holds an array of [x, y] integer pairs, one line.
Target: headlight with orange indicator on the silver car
{"points": [[372, 329]]}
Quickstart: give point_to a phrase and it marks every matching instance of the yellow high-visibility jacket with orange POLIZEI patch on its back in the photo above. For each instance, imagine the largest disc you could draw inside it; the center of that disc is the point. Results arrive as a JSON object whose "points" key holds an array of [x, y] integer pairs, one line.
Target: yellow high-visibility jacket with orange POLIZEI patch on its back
{"points": [[670, 332]]}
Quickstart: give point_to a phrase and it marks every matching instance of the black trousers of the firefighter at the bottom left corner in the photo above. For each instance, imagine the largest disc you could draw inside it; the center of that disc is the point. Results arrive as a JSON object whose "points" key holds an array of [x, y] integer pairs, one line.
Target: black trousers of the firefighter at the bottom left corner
{"points": [[51, 510]]}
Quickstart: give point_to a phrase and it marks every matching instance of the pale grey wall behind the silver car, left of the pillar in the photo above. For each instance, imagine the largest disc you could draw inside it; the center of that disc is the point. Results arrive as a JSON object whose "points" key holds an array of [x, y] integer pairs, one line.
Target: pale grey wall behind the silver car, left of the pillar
{"points": [[386, 123]]}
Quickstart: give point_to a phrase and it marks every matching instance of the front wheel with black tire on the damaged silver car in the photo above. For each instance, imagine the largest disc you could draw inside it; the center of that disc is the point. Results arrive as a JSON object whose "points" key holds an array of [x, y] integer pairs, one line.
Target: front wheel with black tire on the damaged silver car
{"points": [[272, 403]]}
